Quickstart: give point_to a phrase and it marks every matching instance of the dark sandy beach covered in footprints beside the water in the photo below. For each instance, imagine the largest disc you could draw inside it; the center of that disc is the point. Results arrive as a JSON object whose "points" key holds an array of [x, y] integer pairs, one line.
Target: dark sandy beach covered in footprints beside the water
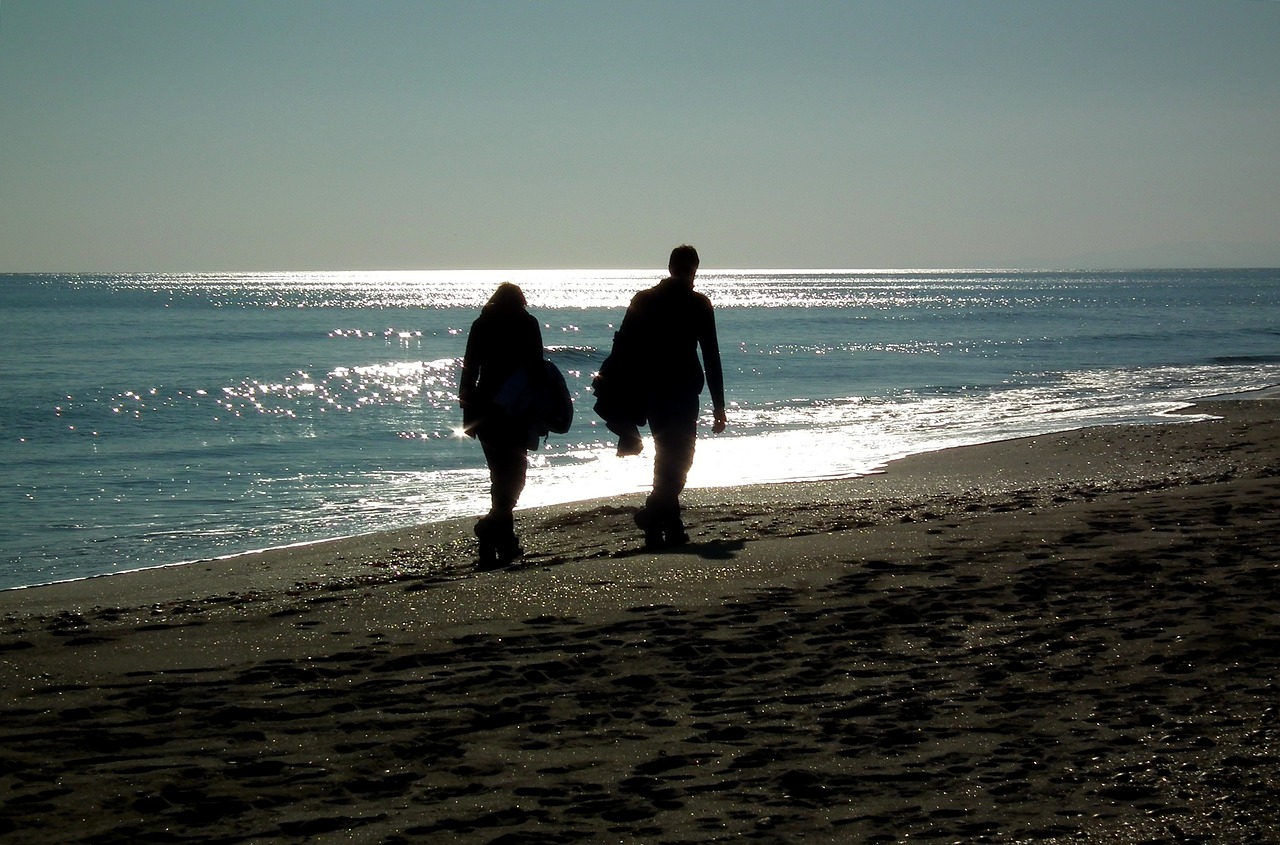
{"points": [[1062, 640]]}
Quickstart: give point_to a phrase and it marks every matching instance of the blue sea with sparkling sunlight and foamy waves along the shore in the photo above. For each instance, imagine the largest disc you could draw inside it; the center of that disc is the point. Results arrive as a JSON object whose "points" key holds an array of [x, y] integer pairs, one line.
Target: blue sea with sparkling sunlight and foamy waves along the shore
{"points": [[154, 419]]}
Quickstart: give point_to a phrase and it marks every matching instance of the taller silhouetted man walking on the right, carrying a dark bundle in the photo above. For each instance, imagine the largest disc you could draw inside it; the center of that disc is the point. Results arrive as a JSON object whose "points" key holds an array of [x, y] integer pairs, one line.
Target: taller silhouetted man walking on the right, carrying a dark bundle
{"points": [[653, 376]]}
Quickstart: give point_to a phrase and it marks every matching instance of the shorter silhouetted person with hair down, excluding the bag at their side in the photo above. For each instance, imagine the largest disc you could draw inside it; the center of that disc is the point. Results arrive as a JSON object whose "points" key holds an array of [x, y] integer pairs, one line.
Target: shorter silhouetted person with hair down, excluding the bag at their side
{"points": [[505, 348]]}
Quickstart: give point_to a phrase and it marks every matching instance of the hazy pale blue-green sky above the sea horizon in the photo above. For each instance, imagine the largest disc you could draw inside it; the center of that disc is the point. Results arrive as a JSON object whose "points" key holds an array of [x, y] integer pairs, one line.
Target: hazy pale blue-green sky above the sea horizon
{"points": [[857, 134]]}
